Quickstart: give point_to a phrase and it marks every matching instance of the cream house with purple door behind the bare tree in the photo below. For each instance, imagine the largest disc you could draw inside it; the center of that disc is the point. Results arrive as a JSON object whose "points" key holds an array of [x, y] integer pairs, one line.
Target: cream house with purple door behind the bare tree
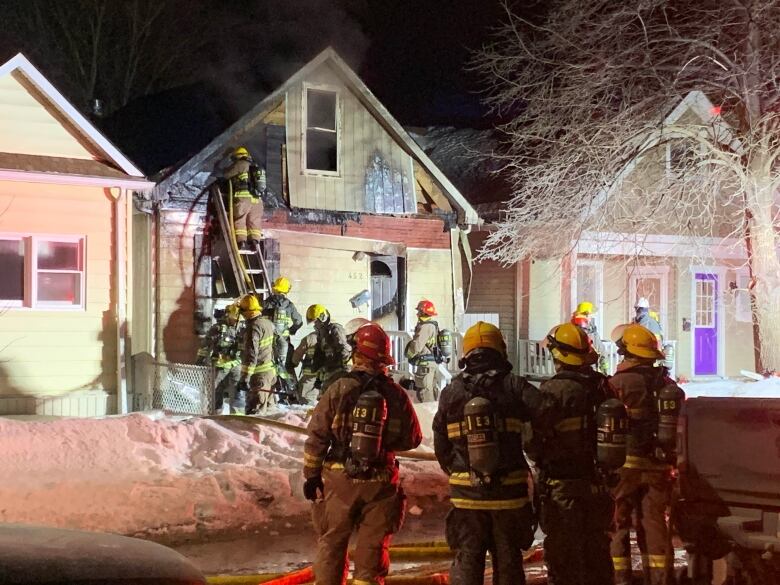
{"points": [[703, 305]]}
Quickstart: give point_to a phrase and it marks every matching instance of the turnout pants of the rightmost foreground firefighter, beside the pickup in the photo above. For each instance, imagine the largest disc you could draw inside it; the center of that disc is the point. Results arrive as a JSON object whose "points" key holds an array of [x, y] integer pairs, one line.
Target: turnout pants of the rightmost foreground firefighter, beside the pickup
{"points": [[641, 500]]}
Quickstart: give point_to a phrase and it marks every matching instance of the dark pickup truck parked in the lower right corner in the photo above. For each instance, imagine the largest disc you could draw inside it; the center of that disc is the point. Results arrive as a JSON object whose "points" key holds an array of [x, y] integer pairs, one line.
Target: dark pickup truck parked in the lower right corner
{"points": [[729, 501]]}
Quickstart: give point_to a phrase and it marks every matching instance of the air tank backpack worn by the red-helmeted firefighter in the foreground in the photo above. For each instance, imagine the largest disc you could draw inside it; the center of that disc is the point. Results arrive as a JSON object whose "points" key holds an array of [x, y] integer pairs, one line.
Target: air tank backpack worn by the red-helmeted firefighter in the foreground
{"points": [[369, 418]]}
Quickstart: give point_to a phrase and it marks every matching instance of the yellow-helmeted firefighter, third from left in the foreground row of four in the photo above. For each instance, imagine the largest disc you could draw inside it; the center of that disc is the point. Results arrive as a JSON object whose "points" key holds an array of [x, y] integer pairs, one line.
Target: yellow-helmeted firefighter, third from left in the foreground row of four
{"points": [[576, 506]]}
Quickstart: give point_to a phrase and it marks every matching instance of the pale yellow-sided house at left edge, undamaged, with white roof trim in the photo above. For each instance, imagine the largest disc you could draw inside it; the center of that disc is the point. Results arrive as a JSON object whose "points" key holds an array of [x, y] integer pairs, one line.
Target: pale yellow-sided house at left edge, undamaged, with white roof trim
{"points": [[66, 289]]}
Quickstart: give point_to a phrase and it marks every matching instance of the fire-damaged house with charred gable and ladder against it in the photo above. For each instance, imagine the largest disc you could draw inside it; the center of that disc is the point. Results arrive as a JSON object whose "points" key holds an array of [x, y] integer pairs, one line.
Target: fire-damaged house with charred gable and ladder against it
{"points": [[356, 216]]}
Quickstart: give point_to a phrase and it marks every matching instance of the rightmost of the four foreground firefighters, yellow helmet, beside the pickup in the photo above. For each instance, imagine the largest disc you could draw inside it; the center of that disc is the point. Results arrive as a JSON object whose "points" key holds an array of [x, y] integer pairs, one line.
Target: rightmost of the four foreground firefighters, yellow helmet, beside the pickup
{"points": [[645, 485]]}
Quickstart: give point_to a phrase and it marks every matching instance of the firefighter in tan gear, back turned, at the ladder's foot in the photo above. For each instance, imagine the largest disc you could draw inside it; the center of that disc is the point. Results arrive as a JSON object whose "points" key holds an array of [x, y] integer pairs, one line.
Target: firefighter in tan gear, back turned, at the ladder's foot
{"points": [[258, 374]]}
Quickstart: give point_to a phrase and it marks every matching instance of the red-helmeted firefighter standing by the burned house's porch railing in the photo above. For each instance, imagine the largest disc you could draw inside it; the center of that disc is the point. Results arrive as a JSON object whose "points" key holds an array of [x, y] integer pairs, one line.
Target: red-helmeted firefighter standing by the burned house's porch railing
{"points": [[421, 352]]}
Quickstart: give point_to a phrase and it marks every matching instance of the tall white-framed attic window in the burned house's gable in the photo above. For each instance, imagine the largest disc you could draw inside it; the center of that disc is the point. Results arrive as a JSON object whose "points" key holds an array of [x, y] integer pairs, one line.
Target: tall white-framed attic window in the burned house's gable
{"points": [[322, 135]]}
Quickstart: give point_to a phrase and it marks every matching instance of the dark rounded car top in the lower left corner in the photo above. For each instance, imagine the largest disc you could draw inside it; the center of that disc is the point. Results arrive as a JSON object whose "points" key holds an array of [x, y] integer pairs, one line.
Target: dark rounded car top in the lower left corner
{"points": [[38, 555]]}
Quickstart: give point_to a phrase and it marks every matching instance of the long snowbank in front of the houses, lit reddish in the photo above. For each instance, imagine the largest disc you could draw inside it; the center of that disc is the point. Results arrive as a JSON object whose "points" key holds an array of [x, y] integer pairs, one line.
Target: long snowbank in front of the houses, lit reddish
{"points": [[152, 475]]}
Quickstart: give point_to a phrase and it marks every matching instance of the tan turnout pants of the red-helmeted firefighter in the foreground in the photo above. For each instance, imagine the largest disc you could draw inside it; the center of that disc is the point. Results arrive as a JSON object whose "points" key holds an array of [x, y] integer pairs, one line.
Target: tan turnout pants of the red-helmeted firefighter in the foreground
{"points": [[375, 509]]}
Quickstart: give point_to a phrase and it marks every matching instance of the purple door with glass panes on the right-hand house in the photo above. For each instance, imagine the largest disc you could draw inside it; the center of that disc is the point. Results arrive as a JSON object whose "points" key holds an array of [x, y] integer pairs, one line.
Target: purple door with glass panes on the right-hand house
{"points": [[705, 332]]}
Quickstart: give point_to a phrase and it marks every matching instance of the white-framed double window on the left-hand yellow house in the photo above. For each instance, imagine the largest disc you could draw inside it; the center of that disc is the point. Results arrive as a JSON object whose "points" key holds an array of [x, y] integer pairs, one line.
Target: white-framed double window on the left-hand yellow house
{"points": [[42, 272]]}
